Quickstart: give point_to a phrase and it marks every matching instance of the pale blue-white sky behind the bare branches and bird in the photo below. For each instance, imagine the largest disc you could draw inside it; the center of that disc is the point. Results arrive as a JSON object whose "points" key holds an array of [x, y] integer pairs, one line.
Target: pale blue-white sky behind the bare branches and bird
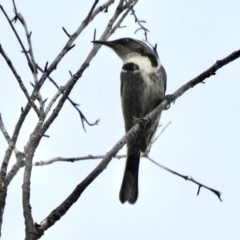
{"points": [[202, 141]]}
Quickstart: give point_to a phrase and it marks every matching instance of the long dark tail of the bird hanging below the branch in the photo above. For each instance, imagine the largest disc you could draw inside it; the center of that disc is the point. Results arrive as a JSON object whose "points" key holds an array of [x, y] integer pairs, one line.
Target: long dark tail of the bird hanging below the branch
{"points": [[129, 188]]}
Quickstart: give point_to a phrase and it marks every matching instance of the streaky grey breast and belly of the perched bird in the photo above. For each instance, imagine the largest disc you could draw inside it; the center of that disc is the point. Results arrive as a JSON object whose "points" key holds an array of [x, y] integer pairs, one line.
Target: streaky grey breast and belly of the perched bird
{"points": [[140, 92]]}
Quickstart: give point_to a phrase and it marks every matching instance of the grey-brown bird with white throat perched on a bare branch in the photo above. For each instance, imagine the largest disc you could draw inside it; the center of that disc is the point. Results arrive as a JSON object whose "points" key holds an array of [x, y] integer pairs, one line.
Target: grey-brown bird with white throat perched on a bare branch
{"points": [[143, 86]]}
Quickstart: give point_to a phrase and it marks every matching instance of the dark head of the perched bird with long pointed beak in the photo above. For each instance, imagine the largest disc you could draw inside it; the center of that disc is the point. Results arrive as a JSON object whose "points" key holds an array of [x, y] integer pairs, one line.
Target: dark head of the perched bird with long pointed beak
{"points": [[127, 48]]}
